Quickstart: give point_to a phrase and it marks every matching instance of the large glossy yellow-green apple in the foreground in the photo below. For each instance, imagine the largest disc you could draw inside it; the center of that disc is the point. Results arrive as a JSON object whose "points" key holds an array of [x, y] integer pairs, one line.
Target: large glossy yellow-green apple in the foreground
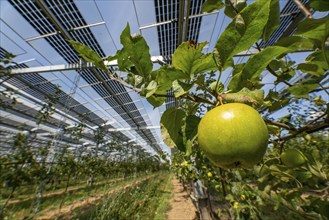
{"points": [[233, 135]]}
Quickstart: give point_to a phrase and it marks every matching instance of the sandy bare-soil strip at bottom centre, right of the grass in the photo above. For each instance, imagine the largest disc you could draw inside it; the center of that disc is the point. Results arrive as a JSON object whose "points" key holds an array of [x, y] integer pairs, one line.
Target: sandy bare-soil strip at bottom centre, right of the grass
{"points": [[181, 203]]}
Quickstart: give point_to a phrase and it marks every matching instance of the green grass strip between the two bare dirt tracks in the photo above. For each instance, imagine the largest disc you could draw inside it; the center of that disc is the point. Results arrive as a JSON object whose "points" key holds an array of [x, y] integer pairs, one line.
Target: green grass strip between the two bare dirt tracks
{"points": [[147, 200]]}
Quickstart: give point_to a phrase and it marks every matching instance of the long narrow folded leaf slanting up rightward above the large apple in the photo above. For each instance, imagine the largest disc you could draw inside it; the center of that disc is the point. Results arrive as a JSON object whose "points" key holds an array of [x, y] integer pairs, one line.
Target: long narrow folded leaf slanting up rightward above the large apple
{"points": [[249, 76]]}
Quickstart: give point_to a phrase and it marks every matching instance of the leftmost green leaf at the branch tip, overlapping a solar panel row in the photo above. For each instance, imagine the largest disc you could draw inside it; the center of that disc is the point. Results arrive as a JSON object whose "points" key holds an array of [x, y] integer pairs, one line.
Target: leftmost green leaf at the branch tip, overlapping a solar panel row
{"points": [[88, 54]]}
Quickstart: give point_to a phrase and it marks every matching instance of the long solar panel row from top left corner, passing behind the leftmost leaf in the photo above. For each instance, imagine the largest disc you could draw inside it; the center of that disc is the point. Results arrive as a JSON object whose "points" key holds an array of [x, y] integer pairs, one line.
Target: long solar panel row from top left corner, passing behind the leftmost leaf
{"points": [[69, 17]]}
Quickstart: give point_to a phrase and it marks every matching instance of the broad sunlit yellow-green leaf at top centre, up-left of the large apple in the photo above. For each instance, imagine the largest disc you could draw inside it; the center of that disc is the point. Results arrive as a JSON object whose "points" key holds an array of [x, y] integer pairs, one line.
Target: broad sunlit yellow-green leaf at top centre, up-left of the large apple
{"points": [[189, 58]]}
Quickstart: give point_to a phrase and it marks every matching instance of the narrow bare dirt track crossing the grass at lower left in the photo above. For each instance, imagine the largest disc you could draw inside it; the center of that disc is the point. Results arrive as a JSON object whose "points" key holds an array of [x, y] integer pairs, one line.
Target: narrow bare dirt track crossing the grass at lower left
{"points": [[66, 210]]}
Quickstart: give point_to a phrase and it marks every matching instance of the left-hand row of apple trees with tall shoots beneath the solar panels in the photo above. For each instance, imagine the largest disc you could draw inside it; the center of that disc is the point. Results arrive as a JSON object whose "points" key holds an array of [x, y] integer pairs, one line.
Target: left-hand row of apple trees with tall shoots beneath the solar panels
{"points": [[32, 165]]}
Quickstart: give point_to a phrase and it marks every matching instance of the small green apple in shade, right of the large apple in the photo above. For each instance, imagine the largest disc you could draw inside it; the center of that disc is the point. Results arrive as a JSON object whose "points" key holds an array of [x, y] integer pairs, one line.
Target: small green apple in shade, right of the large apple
{"points": [[293, 158]]}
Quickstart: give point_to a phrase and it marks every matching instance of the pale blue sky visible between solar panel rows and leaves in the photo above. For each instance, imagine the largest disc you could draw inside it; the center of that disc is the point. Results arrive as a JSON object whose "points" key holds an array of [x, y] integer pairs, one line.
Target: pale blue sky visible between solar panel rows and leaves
{"points": [[14, 30]]}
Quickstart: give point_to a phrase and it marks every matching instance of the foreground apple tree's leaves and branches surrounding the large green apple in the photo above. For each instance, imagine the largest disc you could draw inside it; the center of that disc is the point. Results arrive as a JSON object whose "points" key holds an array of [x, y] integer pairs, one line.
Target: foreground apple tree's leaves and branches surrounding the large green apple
{"points": [[271, 189]]}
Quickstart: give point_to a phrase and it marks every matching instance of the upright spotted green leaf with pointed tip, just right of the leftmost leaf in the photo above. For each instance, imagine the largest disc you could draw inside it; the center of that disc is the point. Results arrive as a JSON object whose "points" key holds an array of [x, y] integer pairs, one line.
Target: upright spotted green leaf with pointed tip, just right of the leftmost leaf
{"points": [[135, 51]]}
